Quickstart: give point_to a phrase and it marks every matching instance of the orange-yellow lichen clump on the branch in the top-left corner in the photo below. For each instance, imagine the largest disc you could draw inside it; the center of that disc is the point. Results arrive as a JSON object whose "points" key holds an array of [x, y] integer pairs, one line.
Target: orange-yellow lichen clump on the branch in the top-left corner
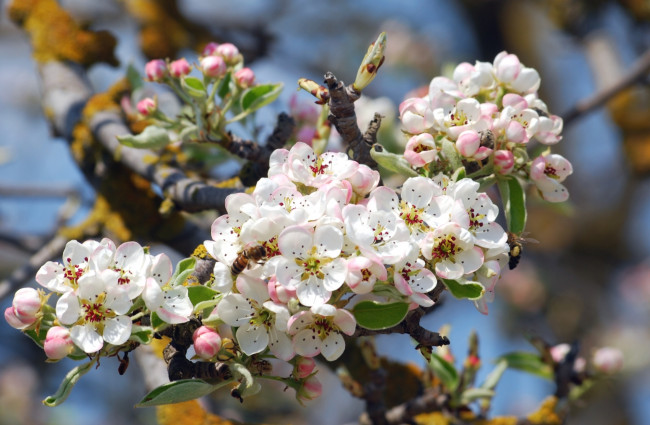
{"points": [[56, 36]]}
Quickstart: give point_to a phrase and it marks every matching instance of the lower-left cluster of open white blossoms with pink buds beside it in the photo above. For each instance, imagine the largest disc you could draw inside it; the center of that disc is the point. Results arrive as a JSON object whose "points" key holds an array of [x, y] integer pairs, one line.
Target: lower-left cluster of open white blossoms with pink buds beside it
{"points": [[100, 287]]}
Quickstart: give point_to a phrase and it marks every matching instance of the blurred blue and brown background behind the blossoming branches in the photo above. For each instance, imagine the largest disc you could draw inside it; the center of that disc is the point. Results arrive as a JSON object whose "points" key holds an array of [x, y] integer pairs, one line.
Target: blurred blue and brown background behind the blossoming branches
{"points": [[588, 279]]}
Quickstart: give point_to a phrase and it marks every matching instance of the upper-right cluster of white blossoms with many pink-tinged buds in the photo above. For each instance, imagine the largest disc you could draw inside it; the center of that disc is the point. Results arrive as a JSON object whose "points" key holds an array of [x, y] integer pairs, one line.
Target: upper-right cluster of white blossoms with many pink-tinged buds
{"points": [[491, 112]]}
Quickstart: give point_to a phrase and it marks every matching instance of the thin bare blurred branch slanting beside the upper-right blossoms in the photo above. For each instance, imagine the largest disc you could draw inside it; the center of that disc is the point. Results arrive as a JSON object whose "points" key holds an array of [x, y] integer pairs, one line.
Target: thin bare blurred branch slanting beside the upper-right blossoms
{"points": [[638, 71]]}
